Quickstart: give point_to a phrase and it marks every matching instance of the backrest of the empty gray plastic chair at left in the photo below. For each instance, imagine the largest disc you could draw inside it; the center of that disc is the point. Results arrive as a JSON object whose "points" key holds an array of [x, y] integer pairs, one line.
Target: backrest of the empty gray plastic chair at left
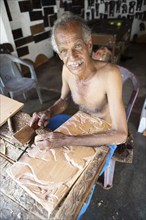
{"points": [[8, 67]]}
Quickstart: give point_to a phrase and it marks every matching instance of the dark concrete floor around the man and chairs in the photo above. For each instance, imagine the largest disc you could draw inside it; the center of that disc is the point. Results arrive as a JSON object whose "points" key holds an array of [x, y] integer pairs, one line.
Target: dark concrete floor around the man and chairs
{"points": [[126, 200]]}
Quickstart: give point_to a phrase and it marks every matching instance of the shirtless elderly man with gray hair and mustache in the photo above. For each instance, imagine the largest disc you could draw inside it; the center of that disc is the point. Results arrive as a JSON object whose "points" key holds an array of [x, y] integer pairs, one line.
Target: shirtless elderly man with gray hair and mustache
{"points": [[95, 86]]}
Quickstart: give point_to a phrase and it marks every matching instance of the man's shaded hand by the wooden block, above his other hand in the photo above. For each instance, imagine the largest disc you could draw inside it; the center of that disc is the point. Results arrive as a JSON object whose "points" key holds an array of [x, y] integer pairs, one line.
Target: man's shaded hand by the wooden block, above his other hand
{"points": [[41, 118]]}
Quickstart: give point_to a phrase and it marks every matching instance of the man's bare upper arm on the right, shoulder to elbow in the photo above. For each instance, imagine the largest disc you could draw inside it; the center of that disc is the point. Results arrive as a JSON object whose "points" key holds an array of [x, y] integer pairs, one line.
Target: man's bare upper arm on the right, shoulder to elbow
{"points": [[116, 106]]}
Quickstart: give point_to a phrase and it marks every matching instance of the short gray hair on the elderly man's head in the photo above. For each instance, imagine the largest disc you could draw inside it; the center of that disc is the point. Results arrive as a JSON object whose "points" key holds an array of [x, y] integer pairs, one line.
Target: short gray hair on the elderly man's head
{"points": [[66, 18]]}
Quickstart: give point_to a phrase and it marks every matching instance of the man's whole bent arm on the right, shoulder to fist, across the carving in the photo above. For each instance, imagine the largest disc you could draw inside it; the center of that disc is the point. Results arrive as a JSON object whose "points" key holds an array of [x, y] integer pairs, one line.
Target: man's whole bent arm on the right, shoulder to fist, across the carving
{"points": [[118, 132]]}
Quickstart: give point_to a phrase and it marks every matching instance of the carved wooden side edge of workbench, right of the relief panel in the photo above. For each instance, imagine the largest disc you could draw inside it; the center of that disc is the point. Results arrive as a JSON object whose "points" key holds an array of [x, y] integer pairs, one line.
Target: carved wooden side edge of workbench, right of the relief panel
{"points": [[70, 207]]}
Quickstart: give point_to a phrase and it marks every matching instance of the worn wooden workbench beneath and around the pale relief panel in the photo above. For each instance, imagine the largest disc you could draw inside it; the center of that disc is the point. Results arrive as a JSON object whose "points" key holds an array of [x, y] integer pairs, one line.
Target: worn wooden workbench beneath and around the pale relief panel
{"points": [[16, 202]]}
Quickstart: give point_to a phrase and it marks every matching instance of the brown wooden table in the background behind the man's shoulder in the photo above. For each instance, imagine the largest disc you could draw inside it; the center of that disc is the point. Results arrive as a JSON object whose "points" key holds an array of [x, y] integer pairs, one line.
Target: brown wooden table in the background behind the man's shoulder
{"points": [[112, 33]]}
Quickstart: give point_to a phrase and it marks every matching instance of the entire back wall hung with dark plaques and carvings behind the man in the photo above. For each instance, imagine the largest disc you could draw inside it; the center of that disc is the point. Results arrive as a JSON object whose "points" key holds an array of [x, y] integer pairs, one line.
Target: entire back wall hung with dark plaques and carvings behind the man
{"points": [[29, 22]]}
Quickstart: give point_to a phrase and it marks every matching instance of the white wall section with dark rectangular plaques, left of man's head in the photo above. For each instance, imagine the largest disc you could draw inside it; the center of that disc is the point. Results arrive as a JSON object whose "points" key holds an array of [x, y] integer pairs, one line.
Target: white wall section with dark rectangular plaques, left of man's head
{"points": [[30, 28]]}
